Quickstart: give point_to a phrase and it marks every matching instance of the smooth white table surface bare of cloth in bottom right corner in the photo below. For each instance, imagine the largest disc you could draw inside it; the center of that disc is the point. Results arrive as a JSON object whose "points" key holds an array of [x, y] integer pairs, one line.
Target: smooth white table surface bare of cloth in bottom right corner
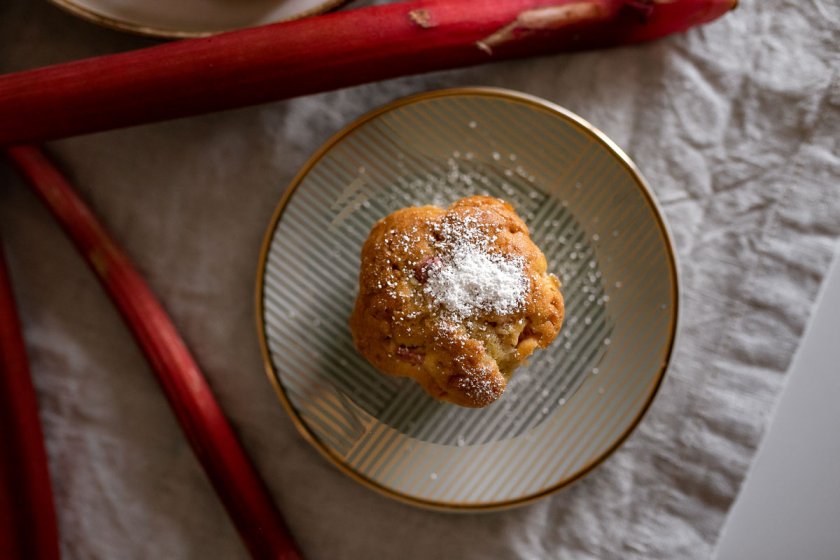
{"points": [[791, 496]]}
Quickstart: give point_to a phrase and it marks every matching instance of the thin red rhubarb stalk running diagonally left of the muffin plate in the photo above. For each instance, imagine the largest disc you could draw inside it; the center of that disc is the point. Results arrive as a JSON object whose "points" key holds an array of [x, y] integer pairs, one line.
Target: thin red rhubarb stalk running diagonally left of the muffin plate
{"points": [[224, 460]]}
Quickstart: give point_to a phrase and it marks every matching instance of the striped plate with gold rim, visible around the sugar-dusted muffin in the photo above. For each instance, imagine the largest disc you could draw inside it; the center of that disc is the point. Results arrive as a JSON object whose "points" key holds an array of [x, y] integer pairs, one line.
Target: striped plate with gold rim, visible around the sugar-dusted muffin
{"points": [[588, 210]]}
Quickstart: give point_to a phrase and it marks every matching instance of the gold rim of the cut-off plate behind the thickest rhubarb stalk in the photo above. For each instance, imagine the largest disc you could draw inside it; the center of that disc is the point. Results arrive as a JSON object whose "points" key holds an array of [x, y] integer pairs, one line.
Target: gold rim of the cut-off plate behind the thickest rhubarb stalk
{"points": [[110, 22]]}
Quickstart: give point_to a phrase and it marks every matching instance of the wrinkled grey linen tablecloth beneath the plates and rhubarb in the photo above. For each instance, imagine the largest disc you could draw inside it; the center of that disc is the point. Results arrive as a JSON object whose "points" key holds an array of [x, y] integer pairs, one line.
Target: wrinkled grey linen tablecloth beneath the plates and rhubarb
{"points": [[736, 127]]}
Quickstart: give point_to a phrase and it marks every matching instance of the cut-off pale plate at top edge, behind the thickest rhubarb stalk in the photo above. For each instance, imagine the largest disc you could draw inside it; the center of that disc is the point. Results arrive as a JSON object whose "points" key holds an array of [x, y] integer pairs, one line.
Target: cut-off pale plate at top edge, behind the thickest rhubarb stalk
{"points": [[191, 18]]}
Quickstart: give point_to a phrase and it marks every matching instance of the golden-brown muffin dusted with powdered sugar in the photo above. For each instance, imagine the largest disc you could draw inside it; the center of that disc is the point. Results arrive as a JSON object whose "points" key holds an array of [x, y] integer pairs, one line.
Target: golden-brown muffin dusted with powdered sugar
{"points": [[454, 298]]}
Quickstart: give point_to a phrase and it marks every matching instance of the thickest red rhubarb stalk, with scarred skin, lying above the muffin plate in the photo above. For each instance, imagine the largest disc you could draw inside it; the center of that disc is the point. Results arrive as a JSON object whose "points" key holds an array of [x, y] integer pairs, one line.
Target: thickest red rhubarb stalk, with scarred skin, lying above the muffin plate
{"points": [[321, 53]]}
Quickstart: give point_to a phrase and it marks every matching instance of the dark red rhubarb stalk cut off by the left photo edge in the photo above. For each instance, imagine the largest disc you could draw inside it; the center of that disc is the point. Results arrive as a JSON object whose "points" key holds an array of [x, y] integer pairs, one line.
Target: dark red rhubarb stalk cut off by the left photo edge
{"points": [[28, 529]]}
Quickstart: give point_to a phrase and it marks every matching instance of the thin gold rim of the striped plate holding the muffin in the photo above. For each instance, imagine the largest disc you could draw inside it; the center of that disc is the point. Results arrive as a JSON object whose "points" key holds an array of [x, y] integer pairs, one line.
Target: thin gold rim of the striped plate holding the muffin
{"points": [[480, 91]]}
